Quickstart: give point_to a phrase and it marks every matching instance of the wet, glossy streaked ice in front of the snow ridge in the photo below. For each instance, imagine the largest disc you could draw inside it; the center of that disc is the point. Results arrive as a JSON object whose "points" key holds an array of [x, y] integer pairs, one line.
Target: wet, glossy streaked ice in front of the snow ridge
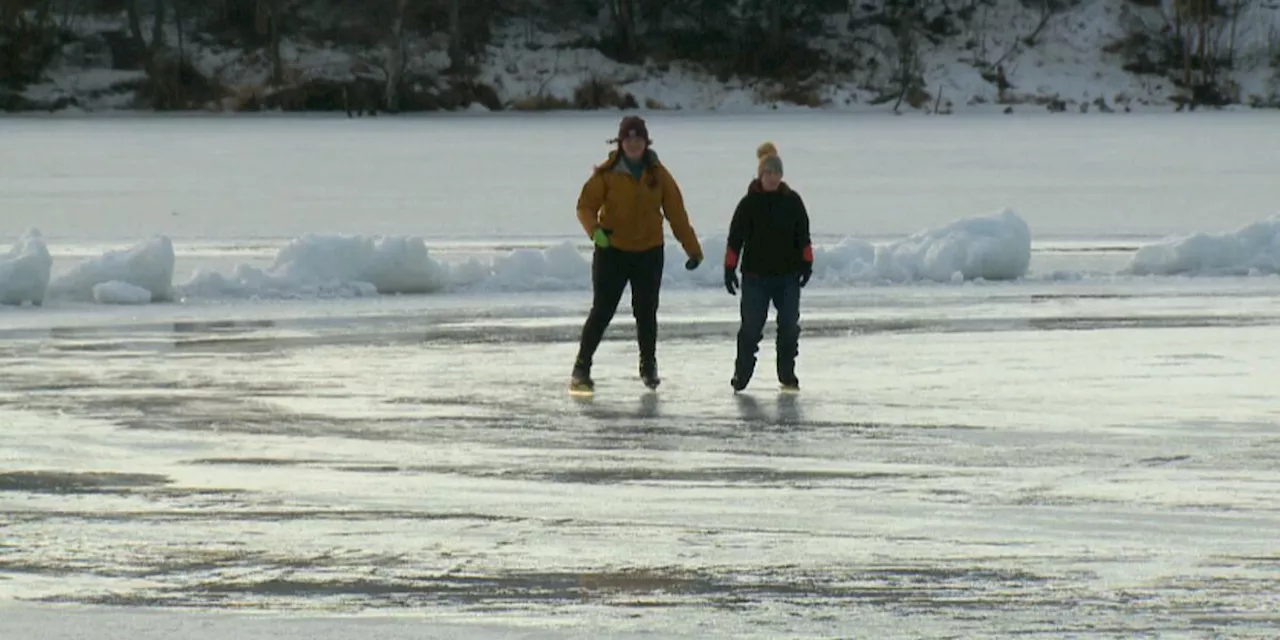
{"points": [[958, 465]]}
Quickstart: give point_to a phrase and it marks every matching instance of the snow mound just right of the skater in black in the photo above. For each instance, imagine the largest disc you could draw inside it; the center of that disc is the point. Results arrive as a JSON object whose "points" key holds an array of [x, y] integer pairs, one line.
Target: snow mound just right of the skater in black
{"points": [[996, 248]]}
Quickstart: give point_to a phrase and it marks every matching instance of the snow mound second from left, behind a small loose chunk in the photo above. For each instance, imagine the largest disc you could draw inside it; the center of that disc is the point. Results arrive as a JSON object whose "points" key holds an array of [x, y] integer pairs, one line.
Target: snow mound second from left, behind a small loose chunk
{"points": [[148, 266]]}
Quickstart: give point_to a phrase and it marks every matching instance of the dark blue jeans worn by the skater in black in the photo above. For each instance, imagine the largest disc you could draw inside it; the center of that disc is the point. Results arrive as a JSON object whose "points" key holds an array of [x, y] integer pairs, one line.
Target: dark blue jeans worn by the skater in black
{"points": [[758, 294]]}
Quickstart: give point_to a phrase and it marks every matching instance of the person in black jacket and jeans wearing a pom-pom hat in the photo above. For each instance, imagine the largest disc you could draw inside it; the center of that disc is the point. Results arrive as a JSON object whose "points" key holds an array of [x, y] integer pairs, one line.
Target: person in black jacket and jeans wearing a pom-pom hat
{"points": [[770, 239]]}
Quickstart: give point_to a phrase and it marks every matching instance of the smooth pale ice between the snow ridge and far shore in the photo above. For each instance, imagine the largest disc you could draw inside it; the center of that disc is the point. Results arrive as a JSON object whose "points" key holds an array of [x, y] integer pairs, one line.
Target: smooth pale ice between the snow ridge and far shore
{"points": [[867, 177]]}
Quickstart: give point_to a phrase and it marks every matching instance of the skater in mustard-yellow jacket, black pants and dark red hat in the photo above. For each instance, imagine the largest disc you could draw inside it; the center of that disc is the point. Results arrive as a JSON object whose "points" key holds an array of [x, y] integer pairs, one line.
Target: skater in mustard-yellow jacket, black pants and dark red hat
{"points": [[621, 209]]}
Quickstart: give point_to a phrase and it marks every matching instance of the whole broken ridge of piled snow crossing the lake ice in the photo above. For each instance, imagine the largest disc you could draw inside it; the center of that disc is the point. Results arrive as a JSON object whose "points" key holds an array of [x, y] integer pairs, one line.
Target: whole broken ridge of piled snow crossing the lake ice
{"points": [[991, 248]]}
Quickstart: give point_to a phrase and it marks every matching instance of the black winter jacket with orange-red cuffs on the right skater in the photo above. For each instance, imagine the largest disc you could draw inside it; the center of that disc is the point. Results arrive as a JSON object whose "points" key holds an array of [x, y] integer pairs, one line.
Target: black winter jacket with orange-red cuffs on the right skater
{"points": [[770, 234]]}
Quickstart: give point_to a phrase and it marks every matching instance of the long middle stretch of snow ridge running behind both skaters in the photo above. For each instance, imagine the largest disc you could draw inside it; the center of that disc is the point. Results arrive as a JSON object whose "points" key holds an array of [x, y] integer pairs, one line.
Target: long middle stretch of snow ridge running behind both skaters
{"points": [[989, 248]]}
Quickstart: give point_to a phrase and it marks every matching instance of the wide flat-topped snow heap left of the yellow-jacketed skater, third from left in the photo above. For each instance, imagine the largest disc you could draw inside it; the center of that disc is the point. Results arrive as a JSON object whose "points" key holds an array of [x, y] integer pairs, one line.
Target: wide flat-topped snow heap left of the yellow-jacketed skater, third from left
{"points": [[318, 266]]}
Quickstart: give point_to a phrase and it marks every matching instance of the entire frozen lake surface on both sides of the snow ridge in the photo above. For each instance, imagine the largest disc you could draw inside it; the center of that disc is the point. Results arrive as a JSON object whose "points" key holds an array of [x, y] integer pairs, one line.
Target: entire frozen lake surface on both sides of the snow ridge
{"points": [[1080, 452]]}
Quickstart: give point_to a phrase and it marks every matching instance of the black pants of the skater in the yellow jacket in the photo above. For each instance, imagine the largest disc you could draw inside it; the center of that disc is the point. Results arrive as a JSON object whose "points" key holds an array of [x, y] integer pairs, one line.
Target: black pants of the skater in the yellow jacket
{"points": [[611, 272]]}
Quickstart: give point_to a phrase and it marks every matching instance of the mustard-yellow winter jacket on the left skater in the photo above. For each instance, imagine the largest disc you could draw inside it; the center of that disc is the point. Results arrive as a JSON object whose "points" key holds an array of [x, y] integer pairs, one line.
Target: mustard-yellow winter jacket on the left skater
{"points": [[633, 211]]}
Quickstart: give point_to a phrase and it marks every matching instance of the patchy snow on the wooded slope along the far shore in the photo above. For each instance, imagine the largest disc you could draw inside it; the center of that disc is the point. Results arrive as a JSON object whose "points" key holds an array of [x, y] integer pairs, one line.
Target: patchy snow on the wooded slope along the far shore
{"points": [[1073, 60]]}
